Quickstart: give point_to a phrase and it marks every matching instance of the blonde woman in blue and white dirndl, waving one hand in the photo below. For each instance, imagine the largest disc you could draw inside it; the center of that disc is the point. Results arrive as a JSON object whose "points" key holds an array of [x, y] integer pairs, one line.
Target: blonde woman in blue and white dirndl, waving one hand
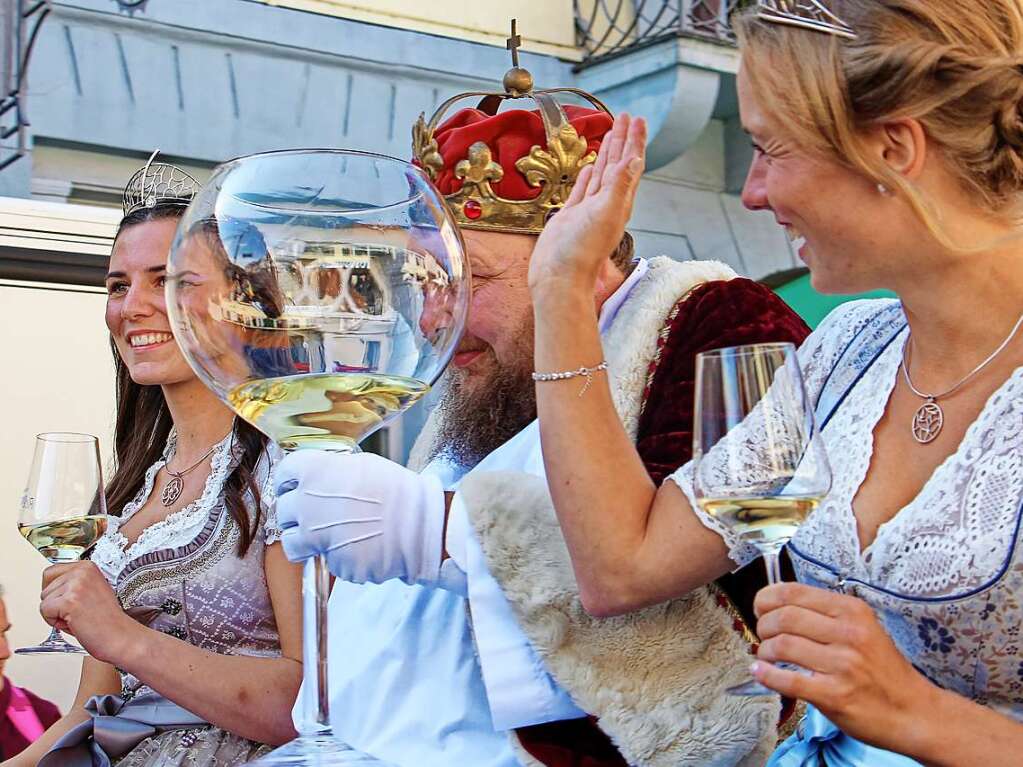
{"points": [[888, 140]]}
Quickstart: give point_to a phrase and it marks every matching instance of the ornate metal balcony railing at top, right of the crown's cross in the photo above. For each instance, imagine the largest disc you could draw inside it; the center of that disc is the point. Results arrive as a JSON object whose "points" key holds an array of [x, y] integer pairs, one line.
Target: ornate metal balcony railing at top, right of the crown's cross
{"points": [[608, 28]]}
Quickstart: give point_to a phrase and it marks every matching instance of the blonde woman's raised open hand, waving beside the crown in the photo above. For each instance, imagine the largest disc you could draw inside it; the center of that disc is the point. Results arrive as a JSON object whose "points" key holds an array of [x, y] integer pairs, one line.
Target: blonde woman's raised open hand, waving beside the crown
{"points": [[577, 242]]}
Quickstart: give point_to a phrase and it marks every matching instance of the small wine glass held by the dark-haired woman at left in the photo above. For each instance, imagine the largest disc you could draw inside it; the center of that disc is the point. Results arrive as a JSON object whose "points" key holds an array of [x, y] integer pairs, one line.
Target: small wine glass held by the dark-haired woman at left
{"points": [[64, 511]]}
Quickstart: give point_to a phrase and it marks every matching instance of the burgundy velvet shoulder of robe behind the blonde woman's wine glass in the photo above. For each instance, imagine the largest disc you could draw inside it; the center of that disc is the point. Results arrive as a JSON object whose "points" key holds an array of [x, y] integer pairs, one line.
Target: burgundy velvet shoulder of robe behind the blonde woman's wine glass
{"points": [[716, 315]]}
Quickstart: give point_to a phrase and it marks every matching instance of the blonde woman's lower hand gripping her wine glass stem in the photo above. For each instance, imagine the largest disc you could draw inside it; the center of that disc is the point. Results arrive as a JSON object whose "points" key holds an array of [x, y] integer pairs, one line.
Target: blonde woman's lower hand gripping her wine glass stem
{"points": [[861, 681]]}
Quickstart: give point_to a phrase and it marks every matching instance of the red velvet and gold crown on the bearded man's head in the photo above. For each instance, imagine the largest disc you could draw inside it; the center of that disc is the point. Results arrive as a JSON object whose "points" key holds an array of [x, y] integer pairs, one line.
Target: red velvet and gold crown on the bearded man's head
{"points": [[510, 171]]}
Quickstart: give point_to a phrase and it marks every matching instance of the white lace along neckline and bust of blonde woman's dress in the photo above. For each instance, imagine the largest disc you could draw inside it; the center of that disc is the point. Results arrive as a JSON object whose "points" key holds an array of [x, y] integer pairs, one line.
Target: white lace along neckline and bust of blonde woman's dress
{"points": [[958, 533]]}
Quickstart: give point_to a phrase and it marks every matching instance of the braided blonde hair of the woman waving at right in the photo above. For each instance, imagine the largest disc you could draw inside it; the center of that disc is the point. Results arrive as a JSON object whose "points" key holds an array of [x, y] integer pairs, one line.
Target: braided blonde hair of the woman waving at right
{"points": [[955, 66]]}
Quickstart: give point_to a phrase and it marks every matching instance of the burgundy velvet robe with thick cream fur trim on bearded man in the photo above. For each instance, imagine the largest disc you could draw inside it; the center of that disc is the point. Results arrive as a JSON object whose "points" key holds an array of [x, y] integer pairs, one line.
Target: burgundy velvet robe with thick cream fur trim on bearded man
{"points": [[654, 682]]}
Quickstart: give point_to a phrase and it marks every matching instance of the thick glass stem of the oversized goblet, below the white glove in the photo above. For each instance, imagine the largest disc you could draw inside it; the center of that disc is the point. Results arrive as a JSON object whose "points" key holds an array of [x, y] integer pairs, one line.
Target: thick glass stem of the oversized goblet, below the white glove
{"points": [[317, 701]]}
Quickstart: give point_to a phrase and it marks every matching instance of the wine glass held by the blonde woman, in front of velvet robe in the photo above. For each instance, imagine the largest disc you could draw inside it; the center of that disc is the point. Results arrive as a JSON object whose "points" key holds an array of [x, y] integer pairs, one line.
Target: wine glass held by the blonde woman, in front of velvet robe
{"points": [[761, 462]]}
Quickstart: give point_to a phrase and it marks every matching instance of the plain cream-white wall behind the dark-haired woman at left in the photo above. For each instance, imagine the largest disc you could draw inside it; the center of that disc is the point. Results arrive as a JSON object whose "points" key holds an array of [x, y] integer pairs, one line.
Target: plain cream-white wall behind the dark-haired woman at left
{"points": [[58, 376]]}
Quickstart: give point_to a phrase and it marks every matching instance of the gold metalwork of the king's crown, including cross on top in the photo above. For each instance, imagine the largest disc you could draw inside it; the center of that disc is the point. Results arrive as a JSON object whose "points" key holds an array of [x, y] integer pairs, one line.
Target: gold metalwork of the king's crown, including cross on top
{"points": [[549, 172]]}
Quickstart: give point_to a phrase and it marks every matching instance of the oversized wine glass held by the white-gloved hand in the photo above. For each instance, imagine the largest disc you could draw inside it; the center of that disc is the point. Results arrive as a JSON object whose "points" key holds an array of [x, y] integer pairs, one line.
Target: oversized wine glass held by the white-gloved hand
{"points": [[320, 294]]}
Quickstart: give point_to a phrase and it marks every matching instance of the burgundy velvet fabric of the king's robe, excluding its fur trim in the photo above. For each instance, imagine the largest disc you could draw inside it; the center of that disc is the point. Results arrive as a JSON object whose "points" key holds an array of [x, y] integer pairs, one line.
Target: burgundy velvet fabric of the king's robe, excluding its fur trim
{"points": [[713, 317]]}
